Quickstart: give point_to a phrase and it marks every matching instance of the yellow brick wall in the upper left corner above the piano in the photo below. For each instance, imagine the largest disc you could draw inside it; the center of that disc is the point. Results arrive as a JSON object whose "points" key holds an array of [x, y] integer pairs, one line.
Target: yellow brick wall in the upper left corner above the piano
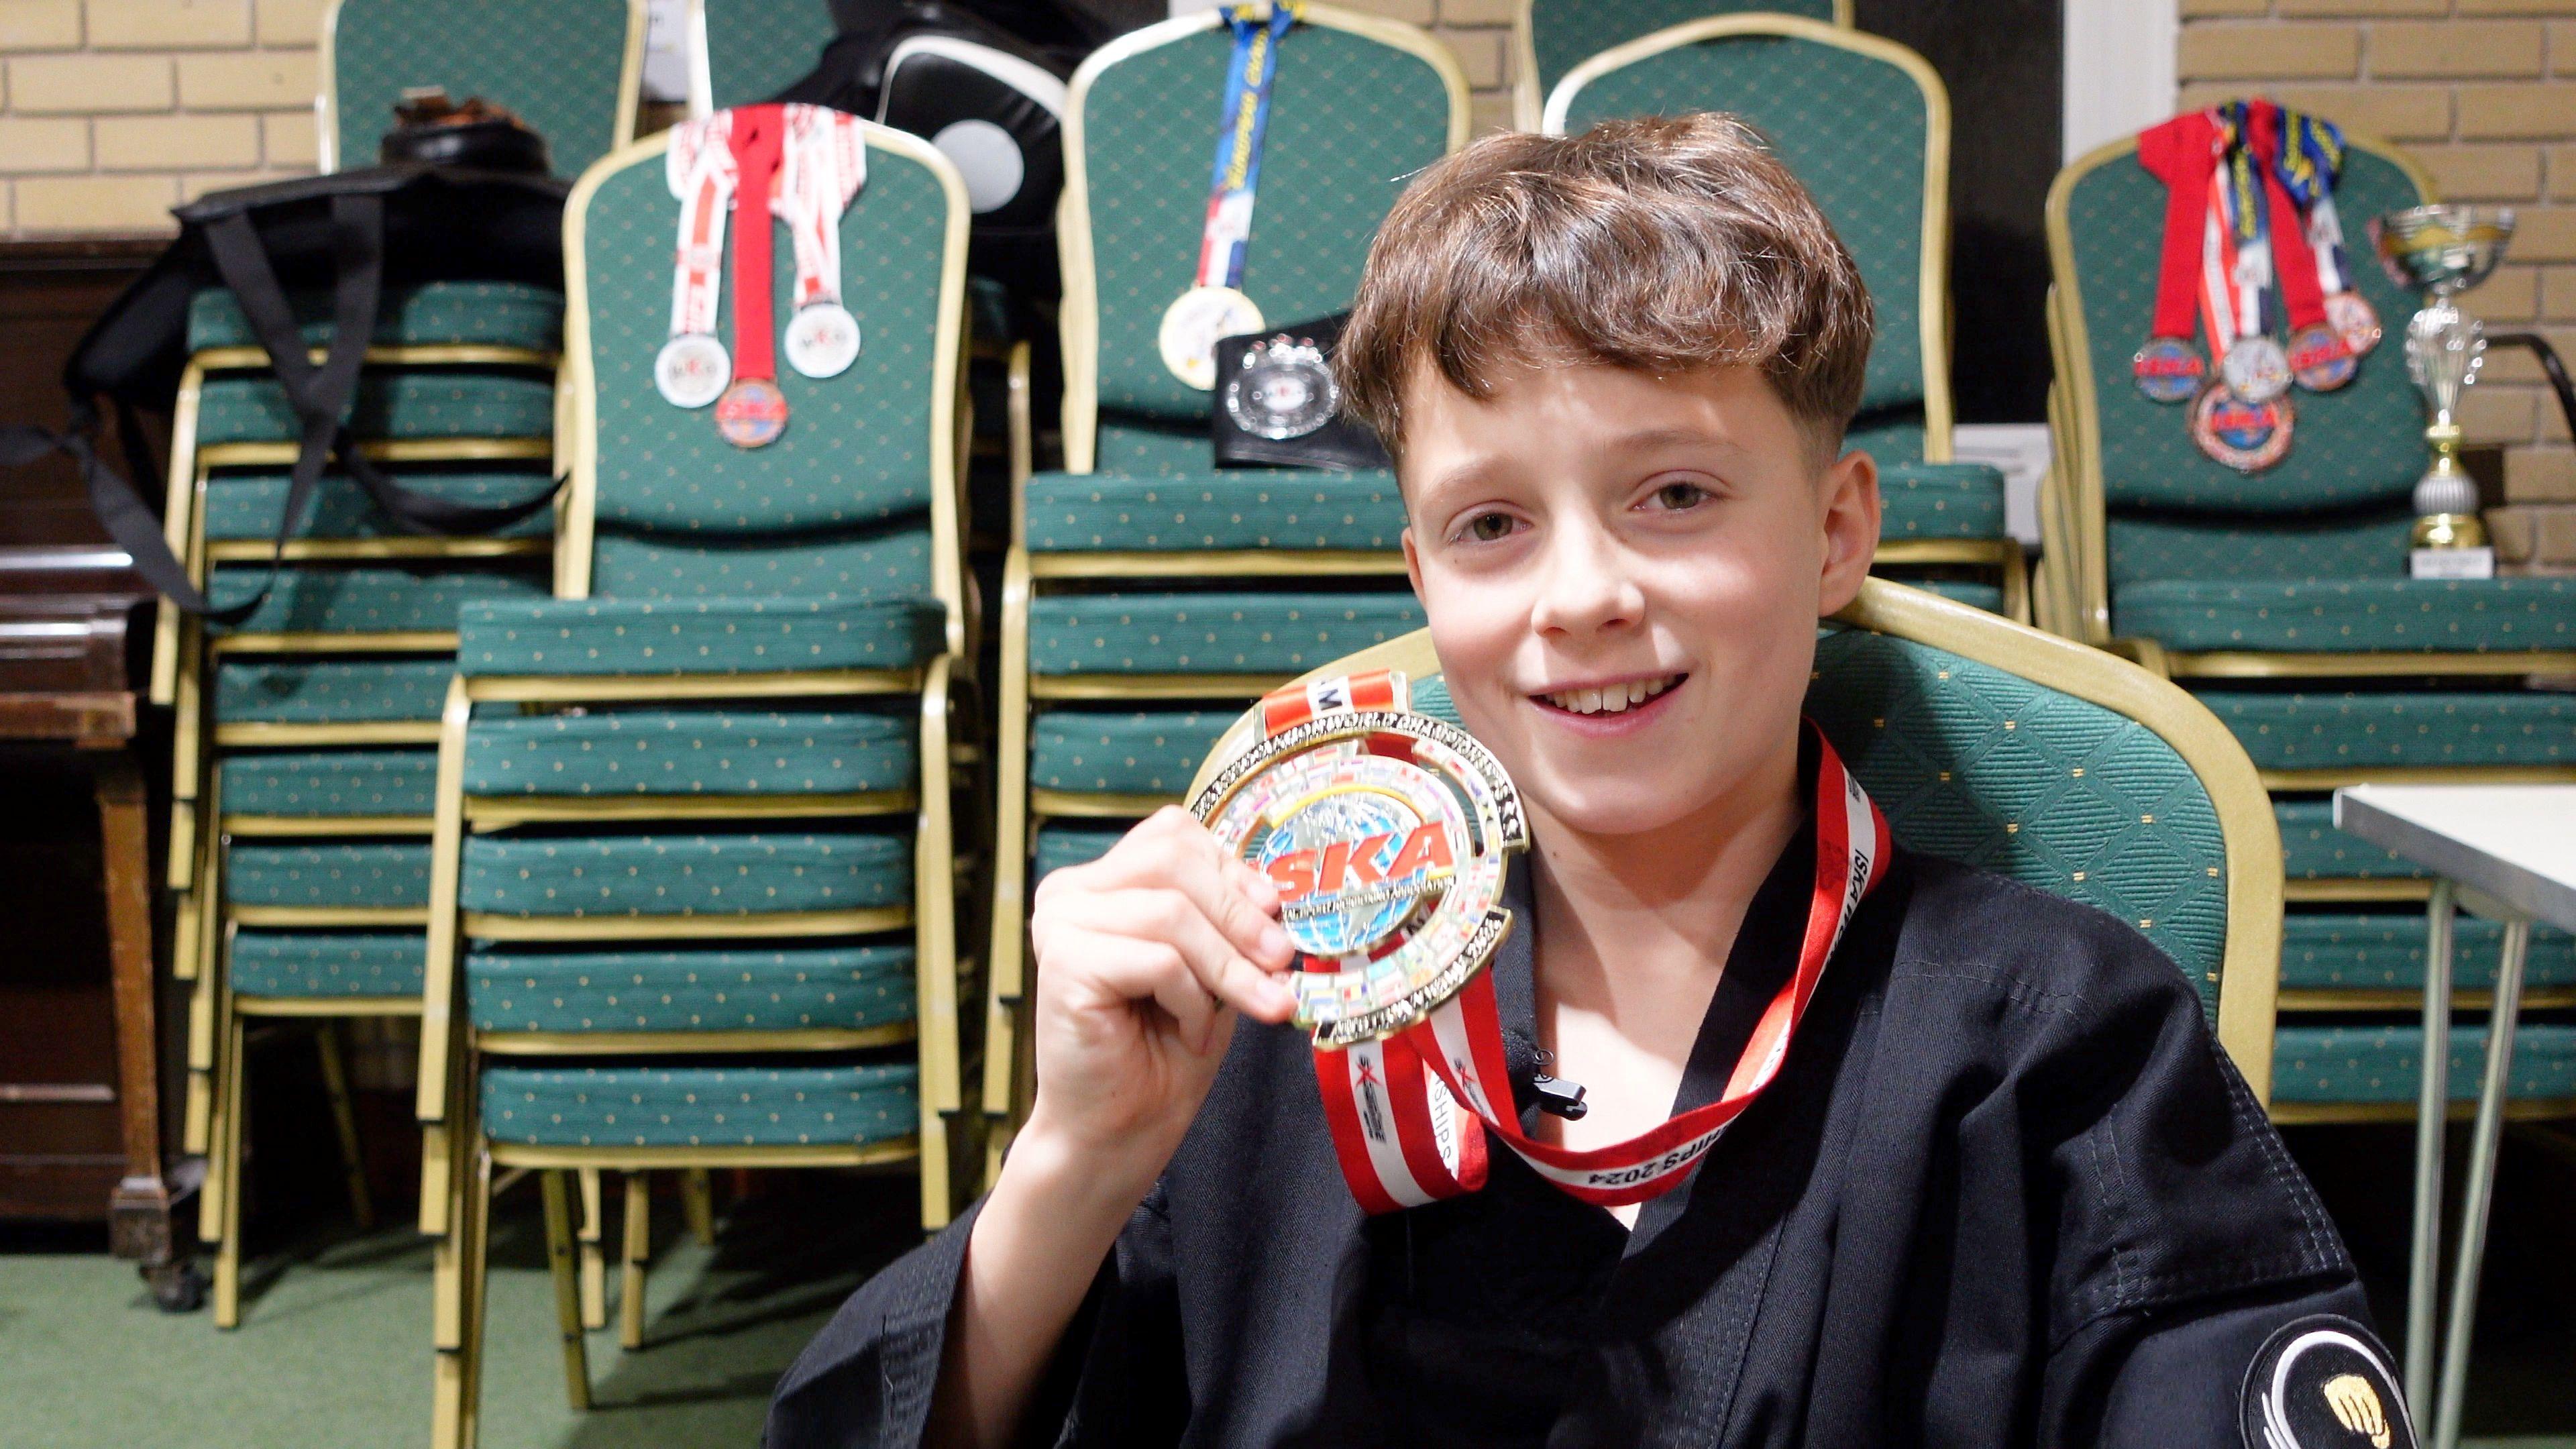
{"points": [[112, 112]]}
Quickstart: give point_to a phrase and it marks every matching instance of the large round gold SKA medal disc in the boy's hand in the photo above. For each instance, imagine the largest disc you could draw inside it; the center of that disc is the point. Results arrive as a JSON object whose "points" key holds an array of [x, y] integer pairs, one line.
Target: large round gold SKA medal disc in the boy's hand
{"points": [[1387, 837]]}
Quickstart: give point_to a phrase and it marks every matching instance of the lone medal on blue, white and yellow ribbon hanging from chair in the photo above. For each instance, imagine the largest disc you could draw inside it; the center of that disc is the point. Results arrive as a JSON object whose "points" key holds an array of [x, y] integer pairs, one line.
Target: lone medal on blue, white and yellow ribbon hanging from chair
{"points": [[1215, 306]]}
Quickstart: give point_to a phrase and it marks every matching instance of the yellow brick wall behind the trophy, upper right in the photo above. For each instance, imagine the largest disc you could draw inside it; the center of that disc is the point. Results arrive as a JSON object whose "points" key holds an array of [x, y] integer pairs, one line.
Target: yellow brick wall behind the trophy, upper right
{"points": [[2485, 94]]}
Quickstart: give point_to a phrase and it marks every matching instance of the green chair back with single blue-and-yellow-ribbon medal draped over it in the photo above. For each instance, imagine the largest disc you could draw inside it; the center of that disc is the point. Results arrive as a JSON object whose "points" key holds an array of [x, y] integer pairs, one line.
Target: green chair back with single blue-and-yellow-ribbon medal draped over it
{"points": [[1359, 107]]}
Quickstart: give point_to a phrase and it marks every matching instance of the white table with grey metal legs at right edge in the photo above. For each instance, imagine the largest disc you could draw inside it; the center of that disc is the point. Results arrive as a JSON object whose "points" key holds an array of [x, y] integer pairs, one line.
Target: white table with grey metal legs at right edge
{"points": [[2505, 852]]}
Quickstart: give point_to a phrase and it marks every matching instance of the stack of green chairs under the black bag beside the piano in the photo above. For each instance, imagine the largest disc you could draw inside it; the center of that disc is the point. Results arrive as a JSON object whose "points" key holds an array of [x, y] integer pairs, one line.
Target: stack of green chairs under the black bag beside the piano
{"points": [[300, 798]]}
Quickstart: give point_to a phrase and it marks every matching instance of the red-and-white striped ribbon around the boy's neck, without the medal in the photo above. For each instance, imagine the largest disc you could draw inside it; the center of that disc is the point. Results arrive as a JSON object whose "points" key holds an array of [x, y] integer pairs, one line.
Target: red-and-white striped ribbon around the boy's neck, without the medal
{"points": [[1395, 1105]]}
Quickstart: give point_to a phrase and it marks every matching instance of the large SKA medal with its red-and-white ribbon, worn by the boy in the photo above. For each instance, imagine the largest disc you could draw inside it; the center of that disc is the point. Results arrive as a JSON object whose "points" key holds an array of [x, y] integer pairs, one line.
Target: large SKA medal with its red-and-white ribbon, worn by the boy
{"points": [[1395, 899]]}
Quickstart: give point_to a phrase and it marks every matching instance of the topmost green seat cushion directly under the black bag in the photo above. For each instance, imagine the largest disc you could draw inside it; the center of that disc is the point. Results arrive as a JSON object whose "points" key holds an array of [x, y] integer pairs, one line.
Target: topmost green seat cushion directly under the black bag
{"points": [[434, 404]]}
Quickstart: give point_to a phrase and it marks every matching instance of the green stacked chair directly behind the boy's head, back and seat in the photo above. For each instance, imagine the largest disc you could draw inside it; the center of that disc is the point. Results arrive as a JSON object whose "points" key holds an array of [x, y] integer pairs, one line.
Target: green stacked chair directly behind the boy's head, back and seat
{"points": [[1866, 125]]}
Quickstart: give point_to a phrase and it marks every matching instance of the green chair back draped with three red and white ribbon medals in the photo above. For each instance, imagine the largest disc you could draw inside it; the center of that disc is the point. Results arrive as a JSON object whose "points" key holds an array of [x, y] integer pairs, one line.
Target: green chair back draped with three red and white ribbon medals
{"points": [[857, 499]]}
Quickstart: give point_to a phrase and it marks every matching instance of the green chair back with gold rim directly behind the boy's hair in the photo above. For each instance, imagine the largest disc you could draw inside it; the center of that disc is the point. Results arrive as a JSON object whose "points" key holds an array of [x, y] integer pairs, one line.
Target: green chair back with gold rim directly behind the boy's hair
{"points": [[1866, 125]]}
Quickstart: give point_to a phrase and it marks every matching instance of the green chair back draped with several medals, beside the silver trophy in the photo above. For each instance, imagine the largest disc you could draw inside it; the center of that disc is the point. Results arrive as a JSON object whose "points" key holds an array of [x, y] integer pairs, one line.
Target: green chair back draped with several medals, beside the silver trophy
{"points": [[2356, 447]]}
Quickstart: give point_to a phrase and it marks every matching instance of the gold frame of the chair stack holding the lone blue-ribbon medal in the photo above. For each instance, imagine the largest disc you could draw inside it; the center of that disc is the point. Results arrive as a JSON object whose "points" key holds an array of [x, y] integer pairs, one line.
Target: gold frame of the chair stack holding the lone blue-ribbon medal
{"points": [[1024, 574]]}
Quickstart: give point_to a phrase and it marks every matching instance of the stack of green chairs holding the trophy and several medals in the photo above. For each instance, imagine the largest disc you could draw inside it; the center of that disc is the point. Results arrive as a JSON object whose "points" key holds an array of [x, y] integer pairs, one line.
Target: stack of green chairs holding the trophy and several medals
{"points": [[2284, 602]]}
